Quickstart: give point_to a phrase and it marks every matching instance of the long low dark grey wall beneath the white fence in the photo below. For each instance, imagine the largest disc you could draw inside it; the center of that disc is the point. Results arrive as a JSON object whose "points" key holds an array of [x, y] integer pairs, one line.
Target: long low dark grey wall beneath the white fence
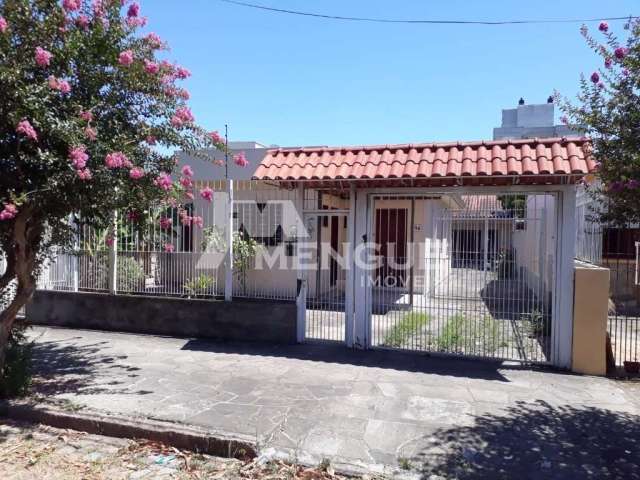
{"points": [[240, 320]]}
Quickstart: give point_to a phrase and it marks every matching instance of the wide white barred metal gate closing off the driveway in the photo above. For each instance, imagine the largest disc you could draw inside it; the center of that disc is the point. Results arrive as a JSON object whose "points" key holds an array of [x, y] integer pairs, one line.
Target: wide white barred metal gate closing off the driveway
{"points": [[469, 275]]}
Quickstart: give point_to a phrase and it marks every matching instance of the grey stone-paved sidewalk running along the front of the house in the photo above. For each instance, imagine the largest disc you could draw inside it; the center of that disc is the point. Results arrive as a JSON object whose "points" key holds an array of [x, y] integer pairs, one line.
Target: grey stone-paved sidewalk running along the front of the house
{"points": [[428, 415]]}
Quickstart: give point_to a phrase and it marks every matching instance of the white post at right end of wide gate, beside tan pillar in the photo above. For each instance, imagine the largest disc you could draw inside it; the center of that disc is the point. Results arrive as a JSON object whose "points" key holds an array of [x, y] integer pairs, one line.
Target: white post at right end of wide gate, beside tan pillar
{"points": [[563, 312]]}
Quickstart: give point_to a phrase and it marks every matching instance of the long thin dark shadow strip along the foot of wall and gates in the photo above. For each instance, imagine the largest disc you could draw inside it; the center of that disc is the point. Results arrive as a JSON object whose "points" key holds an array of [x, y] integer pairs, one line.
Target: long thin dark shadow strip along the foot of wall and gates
{"points": [[337, 354]]}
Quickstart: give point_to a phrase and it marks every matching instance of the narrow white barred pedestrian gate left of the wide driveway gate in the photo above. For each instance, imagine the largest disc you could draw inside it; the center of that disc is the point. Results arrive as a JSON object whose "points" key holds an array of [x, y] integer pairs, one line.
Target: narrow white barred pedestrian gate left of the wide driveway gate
{"points": [[323, 277]]}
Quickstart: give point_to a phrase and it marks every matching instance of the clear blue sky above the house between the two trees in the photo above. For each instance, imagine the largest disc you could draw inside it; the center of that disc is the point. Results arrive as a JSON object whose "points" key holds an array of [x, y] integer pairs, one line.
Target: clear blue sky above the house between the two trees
{"points": [[289, 80]]}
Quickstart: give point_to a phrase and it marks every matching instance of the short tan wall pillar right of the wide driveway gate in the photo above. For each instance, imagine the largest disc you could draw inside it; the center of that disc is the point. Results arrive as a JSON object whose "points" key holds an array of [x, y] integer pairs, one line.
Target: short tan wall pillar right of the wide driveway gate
{"points": [[591, 296]]}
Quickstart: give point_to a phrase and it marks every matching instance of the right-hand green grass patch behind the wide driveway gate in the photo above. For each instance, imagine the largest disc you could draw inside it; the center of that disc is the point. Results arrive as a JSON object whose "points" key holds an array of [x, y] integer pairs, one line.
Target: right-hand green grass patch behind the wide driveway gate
{"points": [[468, 335]]}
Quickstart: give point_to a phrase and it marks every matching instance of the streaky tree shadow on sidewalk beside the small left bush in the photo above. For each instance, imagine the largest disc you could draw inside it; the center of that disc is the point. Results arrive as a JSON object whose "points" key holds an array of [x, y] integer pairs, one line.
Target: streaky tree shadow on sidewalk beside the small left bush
{"points": [[67, 367]]}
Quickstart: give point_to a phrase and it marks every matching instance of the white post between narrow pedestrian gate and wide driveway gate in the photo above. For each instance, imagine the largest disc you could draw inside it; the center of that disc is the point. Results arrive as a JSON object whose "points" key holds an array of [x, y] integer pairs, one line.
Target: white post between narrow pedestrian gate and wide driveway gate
{"points": [[361, 276]]}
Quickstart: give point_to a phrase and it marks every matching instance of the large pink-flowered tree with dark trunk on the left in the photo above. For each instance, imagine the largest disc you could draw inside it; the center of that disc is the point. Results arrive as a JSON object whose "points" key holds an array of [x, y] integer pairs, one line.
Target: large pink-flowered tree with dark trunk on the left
{"points": [[89, 116]]}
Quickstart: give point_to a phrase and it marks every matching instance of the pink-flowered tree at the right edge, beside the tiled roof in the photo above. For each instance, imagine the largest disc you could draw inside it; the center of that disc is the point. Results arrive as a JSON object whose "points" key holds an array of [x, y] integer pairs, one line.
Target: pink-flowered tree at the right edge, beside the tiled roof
{"points": [[608, 111]]}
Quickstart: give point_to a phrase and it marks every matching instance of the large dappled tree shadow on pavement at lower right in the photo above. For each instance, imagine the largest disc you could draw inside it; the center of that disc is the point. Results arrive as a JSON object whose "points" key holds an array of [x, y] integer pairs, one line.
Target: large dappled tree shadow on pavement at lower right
{"points": [[537, 440]]}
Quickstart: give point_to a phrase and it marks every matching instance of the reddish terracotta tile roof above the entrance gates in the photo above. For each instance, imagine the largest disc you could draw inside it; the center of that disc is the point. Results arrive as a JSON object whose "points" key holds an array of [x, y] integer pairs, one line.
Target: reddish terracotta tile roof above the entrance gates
{"points": [[546, 157]]}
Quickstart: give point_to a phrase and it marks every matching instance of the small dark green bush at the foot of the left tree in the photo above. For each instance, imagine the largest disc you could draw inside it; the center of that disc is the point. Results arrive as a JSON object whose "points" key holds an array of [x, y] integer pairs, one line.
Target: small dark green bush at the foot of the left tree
{"points": [[16, 378]]}
